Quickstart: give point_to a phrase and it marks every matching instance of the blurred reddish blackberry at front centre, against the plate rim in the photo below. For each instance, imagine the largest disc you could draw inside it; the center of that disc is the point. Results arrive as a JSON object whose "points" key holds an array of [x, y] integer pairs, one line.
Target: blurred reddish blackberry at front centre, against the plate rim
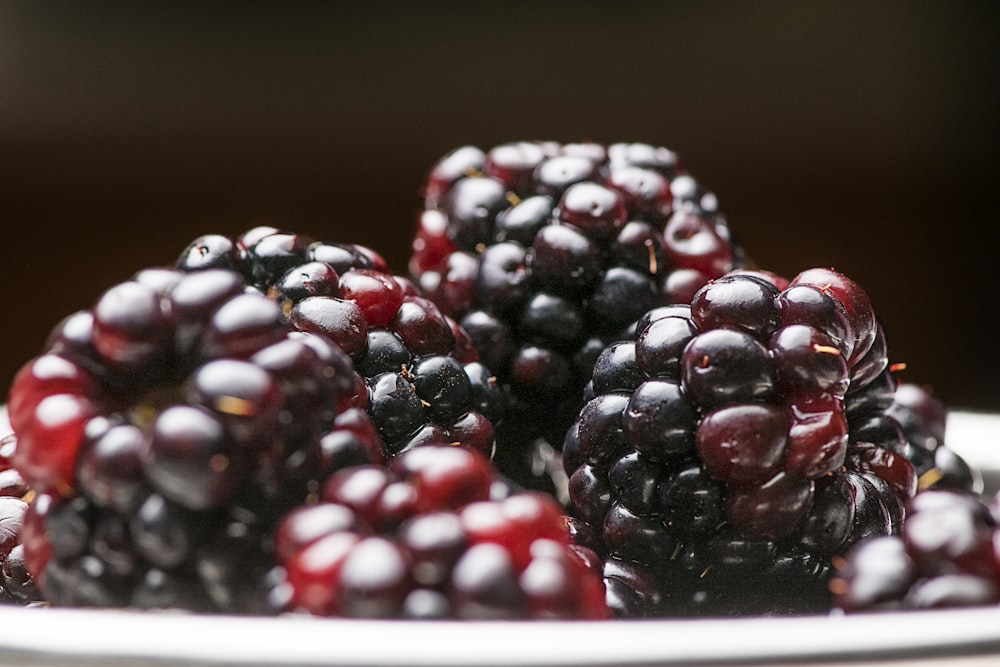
{"points": [[436, 534]]}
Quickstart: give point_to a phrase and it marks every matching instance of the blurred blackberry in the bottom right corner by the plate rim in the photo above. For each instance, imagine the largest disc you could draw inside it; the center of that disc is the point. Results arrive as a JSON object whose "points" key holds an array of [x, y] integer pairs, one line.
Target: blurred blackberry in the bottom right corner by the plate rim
{"points": [[948, 555]]}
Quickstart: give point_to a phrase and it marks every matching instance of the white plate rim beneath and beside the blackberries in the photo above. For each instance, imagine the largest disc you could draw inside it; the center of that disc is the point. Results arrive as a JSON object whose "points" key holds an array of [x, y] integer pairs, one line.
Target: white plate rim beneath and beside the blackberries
{"points": [[77, 638]]}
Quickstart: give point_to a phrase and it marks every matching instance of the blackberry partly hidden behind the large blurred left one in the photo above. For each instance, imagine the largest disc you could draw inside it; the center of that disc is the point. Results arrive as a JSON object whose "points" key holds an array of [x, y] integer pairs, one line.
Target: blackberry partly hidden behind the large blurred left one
{"points": [[419, 374]]}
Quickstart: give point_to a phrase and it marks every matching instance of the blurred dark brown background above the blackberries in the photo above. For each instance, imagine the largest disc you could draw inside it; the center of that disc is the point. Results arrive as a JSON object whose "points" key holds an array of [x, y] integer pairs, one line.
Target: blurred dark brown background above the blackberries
{"points": [[858, 135]]}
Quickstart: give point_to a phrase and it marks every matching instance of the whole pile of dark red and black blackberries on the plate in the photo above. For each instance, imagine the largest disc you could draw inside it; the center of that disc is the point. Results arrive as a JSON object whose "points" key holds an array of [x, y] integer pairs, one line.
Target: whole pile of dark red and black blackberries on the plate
{"points": [[580, 403]]}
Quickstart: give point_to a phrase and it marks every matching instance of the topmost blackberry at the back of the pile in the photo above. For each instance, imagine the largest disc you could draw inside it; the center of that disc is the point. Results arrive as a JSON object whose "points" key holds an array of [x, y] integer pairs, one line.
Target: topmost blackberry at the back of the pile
{"points": [[546, 252]]}
